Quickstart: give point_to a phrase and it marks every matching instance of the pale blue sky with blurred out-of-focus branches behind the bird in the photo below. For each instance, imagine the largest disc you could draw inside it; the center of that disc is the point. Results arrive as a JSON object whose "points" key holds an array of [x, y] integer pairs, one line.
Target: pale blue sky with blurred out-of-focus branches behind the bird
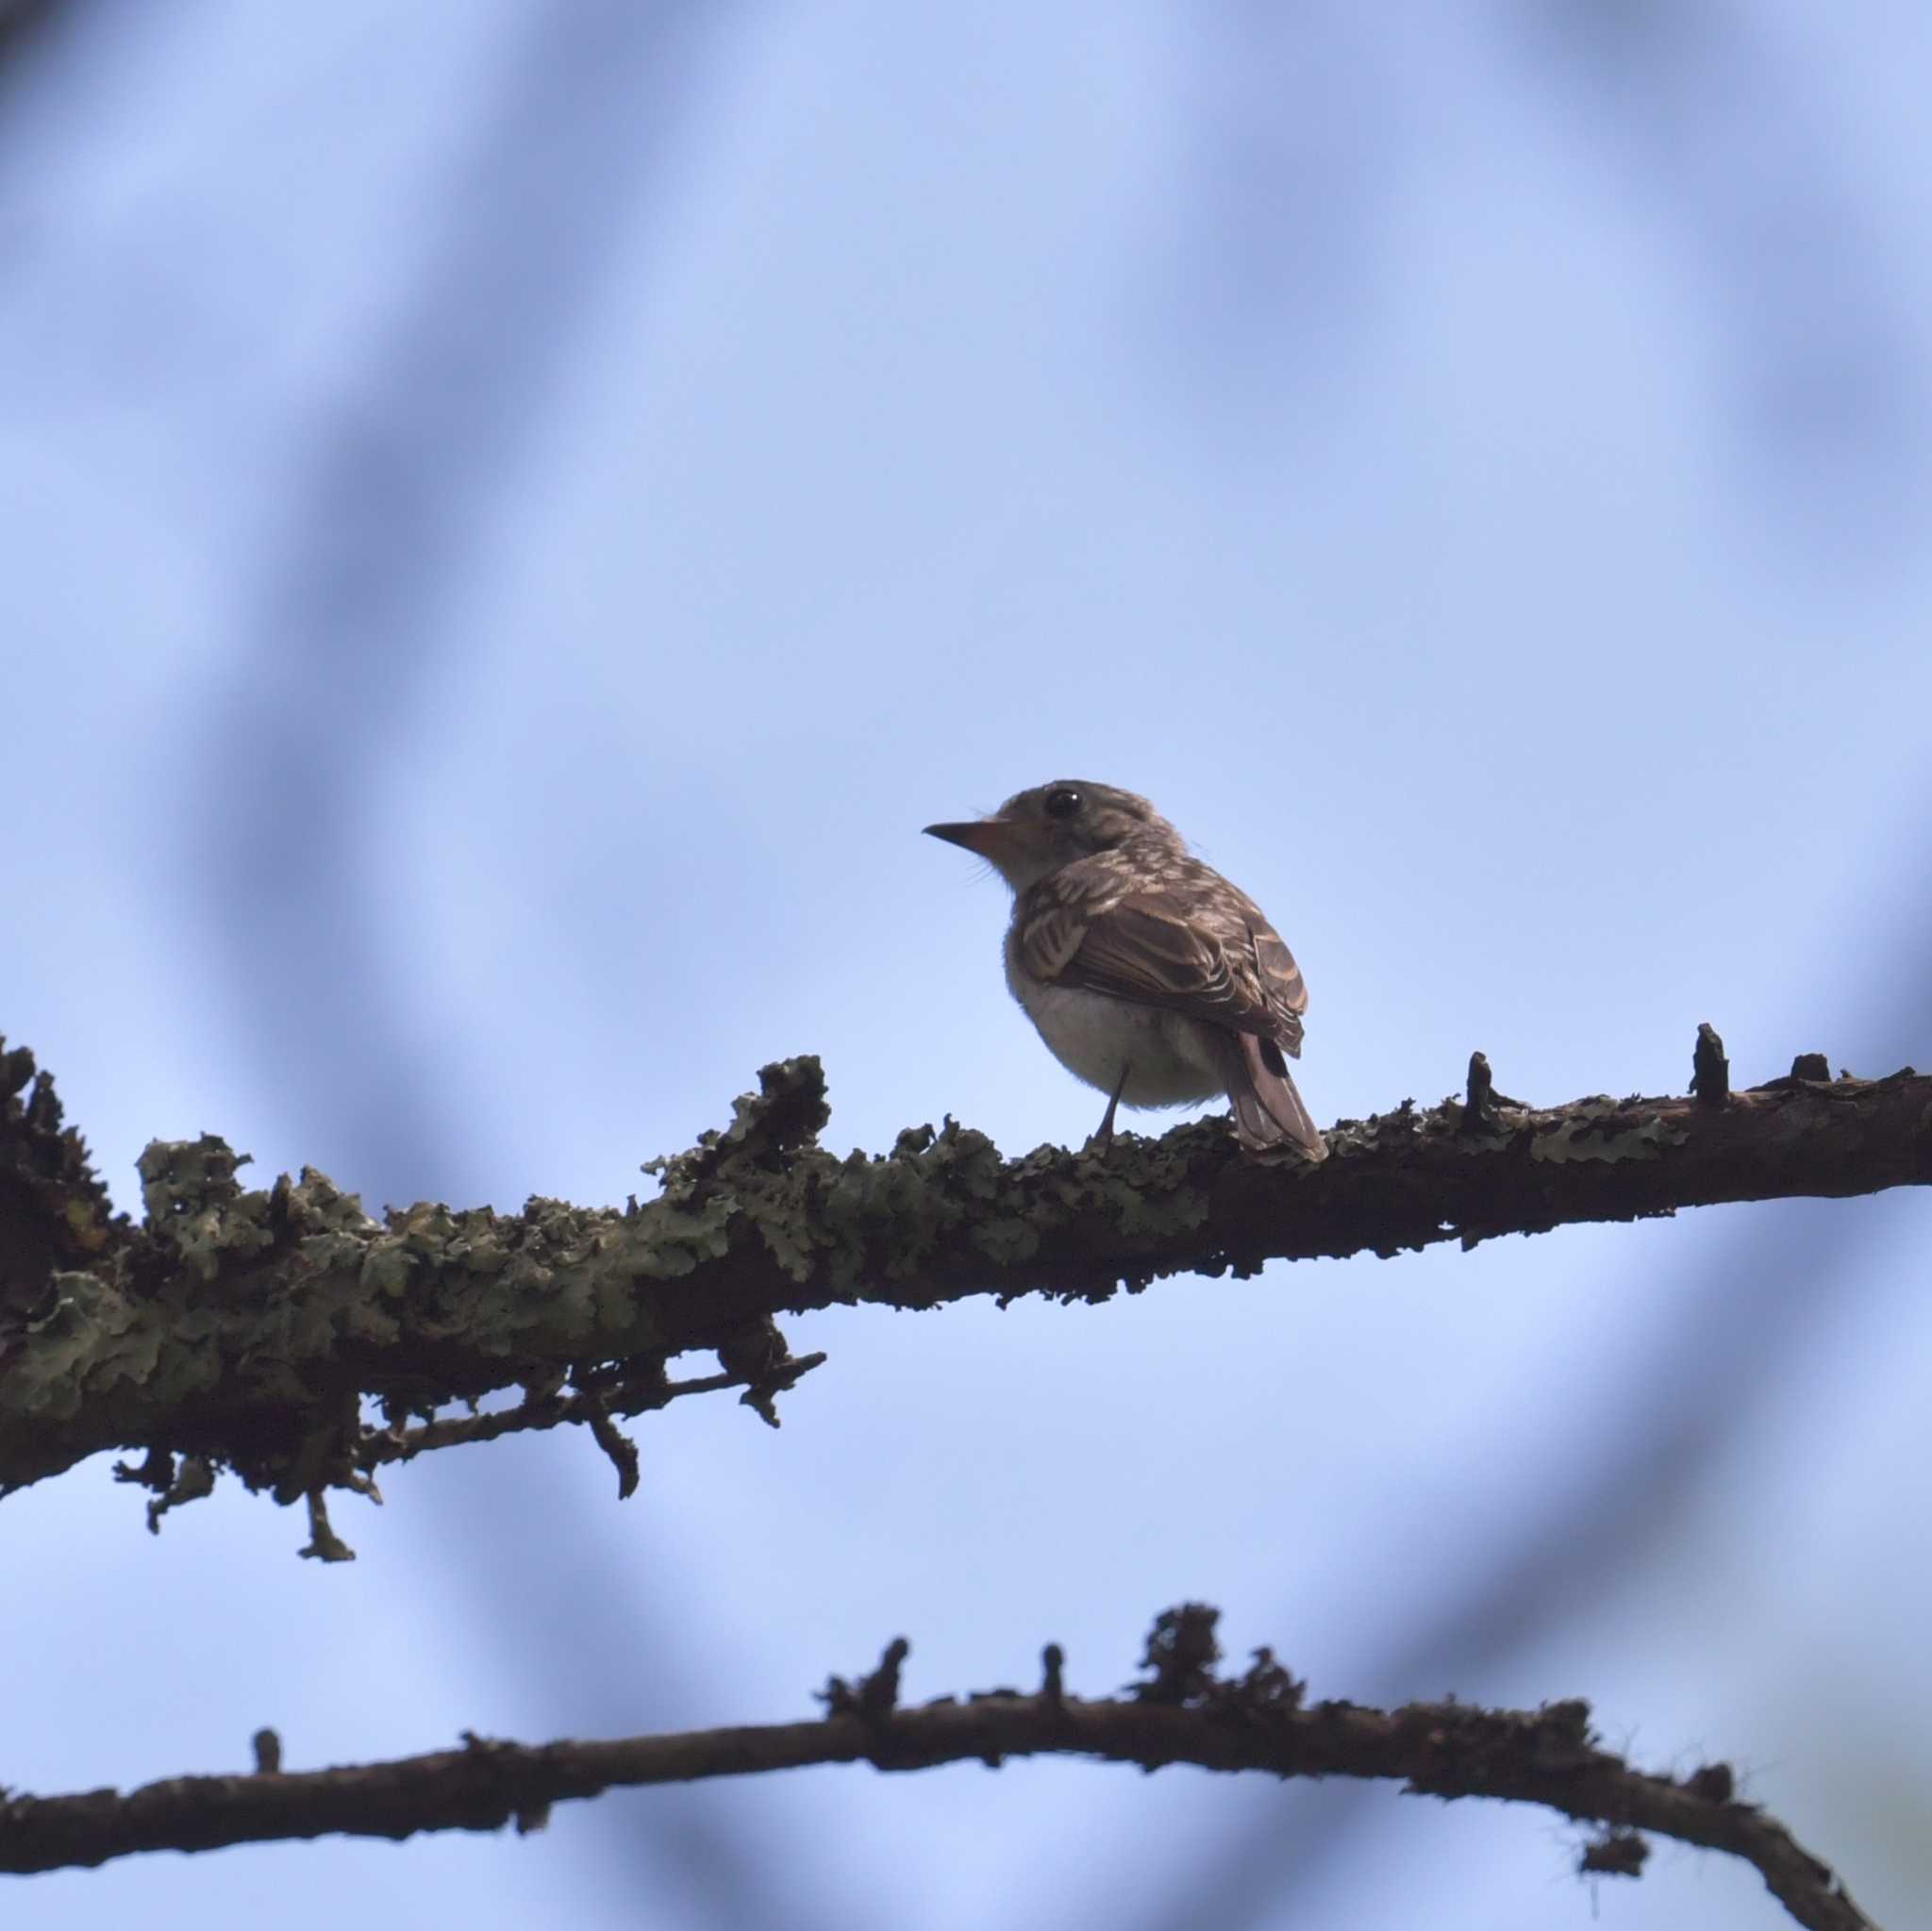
{"points": [[513, 520]]}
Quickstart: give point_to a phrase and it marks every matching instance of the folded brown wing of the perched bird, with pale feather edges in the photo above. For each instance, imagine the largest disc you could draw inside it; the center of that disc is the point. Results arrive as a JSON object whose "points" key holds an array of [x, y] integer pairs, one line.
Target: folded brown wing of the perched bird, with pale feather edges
{"points": [[1208, 955]]}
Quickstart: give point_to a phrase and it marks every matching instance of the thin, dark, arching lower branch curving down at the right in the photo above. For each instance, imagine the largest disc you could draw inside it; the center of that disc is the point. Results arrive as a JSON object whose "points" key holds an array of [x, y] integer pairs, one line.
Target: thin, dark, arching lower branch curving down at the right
{"points": [[1179, 1714]]}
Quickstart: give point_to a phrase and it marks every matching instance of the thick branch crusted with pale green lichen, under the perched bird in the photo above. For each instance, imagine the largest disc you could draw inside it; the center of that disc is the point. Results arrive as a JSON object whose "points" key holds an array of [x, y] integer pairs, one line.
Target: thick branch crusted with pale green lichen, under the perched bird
{"points": [[252, 1328]]}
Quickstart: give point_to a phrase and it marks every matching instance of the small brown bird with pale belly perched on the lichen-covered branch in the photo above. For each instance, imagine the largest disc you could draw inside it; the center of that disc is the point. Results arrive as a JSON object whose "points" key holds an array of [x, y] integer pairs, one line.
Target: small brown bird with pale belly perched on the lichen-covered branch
{"points": [[1143, 968]]}
